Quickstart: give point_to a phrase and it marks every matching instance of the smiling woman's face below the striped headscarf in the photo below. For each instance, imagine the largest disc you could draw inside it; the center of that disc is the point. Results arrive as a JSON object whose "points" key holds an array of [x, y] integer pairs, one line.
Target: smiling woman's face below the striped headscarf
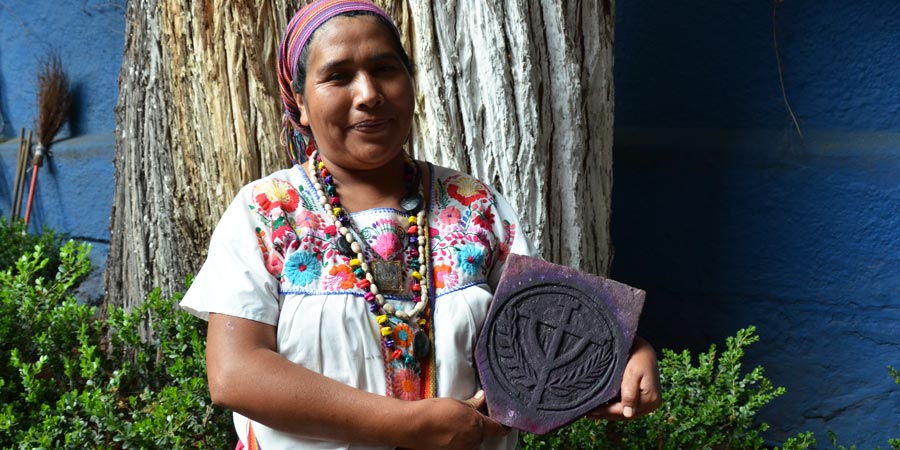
{"points": [[358, 96]]}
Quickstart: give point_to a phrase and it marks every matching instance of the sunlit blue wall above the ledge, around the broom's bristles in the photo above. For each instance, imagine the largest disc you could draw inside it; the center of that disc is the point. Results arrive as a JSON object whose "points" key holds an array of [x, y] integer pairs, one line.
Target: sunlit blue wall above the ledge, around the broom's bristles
{"points": [[87, 34]]}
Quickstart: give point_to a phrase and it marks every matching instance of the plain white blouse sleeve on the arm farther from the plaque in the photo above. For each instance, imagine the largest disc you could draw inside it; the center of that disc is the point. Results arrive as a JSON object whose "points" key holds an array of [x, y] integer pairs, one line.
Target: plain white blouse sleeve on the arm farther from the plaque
{"points": [[234, 279]]}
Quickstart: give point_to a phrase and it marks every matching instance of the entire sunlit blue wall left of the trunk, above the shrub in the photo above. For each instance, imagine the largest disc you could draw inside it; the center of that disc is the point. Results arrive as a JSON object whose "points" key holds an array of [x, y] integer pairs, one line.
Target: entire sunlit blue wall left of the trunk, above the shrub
{"points": [[75, 187]]}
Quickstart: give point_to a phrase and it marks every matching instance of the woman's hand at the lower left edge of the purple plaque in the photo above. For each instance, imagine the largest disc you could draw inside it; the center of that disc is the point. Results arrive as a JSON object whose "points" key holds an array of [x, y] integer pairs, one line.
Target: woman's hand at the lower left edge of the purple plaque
{"points": [[449, 424]]}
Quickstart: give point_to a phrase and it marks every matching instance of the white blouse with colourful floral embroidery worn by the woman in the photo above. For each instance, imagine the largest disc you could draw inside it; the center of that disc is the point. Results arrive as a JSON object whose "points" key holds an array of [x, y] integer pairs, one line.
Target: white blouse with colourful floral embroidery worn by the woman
{"points": [[271, 260]]}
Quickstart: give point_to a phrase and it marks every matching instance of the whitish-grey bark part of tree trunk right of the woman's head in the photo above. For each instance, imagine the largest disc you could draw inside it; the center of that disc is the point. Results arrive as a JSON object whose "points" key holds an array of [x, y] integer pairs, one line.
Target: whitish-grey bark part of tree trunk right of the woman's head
{"points": [[520, 94]]}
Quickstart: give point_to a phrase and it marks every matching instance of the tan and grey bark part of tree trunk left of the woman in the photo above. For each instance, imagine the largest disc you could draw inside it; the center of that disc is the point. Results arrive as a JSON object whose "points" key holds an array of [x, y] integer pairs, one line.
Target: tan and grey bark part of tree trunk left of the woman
{"points": [[198, 116]]}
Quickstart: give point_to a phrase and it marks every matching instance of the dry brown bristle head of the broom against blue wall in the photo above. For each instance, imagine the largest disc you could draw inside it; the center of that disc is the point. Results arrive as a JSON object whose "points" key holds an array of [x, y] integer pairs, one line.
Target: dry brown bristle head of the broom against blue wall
{"points": [[54, 99]]}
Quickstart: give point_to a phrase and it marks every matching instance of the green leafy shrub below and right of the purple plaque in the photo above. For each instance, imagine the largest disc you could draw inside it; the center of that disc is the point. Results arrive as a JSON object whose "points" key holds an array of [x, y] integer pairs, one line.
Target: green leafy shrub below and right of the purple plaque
{"points": [[711, 405]]}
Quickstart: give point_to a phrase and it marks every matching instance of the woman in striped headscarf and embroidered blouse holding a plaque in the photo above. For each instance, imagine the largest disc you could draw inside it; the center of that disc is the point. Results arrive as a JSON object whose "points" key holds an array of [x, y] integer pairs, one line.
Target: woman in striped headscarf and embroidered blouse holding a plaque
{"points": [[344, 295]]}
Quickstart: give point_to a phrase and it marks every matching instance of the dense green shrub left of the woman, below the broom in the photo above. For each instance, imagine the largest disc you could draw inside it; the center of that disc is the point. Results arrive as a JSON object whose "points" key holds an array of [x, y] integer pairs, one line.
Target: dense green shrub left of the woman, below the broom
{"points": [[63, 386]]}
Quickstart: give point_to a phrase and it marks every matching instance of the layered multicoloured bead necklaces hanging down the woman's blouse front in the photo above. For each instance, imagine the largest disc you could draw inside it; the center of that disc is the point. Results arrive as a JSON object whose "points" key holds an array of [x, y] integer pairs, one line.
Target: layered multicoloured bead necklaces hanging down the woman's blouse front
{"points": [[404, 334]]}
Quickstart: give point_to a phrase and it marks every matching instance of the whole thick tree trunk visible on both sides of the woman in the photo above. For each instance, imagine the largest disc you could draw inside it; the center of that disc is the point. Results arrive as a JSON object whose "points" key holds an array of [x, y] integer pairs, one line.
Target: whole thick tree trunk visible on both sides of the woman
{"points": [[519, 93]]}
